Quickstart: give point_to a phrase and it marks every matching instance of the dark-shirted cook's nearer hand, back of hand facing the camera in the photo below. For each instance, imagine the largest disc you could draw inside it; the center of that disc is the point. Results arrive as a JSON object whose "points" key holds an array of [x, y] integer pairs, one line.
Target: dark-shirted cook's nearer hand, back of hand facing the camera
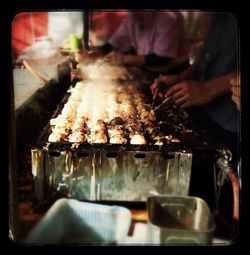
{"points": [[190, 93]]}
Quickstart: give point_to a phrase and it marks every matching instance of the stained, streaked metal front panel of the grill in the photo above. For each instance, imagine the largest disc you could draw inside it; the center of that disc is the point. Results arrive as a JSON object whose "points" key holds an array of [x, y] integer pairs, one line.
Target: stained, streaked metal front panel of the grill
{"points": [[119, 176]]}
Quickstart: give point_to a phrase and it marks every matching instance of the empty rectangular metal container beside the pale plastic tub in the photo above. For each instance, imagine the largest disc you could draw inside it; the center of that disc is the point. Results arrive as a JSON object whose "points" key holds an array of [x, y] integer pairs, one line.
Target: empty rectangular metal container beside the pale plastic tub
{"points": [[179, 220]]}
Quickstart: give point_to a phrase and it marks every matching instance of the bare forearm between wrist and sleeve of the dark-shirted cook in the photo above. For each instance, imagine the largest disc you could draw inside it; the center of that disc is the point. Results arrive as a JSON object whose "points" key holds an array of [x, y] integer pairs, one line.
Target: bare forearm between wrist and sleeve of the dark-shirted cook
{"points": [[220, 86]]}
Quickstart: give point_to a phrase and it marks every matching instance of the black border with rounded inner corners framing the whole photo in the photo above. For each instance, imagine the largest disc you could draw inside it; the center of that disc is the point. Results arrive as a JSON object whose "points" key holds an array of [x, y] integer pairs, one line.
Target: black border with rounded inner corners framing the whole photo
{"points": [[8, 11]]}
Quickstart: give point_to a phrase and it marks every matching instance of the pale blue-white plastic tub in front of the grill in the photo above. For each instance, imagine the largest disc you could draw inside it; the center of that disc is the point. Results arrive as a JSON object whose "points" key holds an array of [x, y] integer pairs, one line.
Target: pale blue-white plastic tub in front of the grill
{"points": [[76, 222]]}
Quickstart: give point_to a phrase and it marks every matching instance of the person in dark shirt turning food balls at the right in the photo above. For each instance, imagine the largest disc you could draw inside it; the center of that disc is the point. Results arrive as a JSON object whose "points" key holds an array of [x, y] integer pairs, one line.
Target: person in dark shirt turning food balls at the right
{"points": [[205, 86]]}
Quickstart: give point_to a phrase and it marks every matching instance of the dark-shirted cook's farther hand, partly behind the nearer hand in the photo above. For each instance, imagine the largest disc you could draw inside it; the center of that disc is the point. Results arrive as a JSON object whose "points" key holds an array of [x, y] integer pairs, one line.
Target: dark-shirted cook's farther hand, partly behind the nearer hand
{"points": [[162, 83]]}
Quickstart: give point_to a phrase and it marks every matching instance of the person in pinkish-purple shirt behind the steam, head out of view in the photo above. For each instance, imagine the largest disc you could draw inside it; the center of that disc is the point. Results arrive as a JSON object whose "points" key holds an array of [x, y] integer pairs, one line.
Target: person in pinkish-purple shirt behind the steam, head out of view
{"points": [[155, 41]]}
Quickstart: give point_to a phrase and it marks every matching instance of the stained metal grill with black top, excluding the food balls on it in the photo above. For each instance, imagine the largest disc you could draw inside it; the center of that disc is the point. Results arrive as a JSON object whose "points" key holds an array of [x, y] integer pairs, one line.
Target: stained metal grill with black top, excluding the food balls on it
{"points": [[118, 172]]}
